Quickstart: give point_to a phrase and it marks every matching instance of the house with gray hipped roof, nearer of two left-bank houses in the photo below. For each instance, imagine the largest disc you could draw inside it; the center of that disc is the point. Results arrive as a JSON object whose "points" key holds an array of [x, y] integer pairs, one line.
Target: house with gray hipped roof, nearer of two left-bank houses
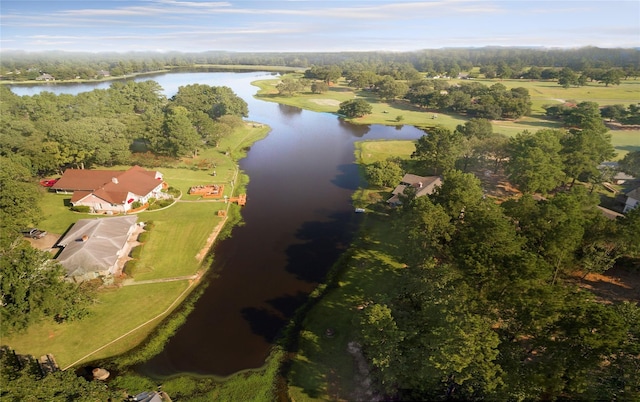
{"points": [[92, 247]]}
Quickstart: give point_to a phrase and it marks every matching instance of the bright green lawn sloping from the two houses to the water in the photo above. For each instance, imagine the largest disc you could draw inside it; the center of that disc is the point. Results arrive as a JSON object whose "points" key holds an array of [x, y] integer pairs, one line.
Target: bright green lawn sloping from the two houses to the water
{"points": [[180, 232]]}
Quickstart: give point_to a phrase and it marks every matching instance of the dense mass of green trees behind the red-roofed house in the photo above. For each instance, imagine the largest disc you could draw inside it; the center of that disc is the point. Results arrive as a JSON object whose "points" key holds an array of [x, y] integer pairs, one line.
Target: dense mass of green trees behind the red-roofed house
{"points": [[101, 128]]}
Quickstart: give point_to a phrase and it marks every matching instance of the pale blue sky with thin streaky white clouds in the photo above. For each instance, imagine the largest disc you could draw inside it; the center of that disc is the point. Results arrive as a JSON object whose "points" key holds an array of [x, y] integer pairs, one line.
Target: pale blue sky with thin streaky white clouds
{"points": [[313, 26]]}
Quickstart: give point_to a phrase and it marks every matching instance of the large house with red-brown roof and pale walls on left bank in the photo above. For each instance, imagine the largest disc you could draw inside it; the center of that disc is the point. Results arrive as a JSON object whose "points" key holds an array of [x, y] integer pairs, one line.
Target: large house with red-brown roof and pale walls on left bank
{"points": [[110, 190]]}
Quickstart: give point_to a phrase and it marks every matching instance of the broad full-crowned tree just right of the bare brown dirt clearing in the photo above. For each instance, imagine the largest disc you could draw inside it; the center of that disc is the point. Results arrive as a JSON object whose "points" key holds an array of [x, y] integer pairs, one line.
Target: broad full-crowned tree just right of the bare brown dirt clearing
{"points": [[535, 163]]}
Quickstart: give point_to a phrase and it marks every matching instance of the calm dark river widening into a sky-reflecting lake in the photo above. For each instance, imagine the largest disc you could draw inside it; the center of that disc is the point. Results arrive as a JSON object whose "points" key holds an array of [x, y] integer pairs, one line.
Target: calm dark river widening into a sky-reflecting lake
{"points": [[298, 220]]}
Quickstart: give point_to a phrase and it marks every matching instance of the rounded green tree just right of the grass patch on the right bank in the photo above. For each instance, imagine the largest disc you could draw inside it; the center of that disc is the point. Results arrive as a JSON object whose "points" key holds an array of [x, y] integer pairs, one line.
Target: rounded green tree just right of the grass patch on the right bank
{"points": [[439, 149]]}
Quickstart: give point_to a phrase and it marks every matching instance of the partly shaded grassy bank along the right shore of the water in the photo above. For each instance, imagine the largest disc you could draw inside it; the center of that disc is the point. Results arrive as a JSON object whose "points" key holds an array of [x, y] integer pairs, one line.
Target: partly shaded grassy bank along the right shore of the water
{"points": [[323, 369]]}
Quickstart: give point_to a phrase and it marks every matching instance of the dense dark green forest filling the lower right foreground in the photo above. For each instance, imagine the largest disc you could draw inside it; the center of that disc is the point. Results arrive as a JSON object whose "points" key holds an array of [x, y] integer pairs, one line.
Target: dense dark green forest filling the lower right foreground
{"points": [[487, 308]]}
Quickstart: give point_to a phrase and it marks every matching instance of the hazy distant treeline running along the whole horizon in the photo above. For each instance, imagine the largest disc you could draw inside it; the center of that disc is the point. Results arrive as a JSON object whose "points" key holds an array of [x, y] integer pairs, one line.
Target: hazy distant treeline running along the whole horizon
{"points": [[22, 66]]}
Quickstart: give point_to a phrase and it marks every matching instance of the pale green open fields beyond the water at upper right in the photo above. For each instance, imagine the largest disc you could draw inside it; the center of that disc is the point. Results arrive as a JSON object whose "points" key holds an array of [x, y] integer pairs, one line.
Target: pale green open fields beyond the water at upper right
{"points": [[542, 93]]}
